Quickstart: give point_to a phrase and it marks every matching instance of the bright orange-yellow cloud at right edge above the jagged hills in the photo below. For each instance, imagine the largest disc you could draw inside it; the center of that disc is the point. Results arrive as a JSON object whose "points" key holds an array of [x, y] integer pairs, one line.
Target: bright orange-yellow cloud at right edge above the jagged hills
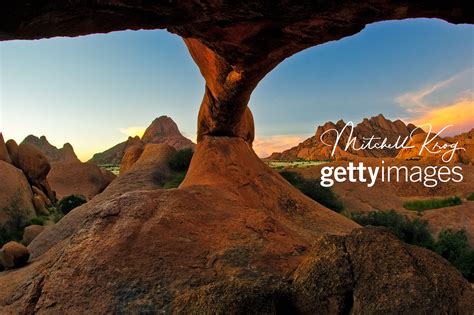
{"points": [[460, 114]]}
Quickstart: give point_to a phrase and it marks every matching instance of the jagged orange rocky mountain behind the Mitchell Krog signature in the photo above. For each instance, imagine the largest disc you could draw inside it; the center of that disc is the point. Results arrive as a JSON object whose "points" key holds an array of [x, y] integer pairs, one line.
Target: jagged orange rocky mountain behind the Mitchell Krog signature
{"points": [[378, 126]]}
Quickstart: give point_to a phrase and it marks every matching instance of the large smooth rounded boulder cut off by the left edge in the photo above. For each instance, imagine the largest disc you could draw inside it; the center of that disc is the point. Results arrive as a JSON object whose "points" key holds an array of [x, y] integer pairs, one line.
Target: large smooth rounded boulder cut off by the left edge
{"points": [[16, 207]]}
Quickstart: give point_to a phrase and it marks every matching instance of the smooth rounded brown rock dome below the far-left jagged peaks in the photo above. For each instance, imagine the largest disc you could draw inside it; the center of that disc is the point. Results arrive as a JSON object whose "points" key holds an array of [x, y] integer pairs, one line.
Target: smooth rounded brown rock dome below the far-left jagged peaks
{"points": [[77, 178]]}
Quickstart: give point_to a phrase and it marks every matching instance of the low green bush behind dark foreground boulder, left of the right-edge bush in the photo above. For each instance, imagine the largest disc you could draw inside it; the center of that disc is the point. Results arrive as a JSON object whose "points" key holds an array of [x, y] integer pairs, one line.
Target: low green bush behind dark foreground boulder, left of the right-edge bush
{"points": [[413, 232]]}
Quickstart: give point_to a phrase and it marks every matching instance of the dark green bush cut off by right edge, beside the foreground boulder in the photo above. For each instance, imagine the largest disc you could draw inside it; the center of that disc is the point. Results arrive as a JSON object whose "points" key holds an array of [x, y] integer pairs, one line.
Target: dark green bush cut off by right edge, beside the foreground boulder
{"points": [[454, 246]]}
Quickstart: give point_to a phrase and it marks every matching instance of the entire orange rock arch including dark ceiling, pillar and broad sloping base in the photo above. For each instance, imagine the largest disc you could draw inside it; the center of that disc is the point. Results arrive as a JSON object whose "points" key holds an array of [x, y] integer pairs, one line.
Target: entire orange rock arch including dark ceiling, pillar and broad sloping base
{"points": [[235, 237]]}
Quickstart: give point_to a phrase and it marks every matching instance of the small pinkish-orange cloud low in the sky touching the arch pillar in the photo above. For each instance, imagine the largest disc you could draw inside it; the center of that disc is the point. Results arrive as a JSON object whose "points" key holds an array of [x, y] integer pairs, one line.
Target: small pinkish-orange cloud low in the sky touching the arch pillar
{"points": [[264, 146]]}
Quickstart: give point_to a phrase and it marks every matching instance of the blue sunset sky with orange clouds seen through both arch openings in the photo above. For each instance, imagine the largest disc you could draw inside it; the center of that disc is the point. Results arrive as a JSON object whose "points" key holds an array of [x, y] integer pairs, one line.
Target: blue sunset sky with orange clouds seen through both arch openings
{"points": [[94, 91]]}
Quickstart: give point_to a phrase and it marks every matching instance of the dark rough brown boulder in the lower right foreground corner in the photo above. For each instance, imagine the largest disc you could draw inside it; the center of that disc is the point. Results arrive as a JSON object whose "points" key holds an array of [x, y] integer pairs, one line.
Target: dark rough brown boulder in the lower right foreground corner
{"points": [[351, 274]]}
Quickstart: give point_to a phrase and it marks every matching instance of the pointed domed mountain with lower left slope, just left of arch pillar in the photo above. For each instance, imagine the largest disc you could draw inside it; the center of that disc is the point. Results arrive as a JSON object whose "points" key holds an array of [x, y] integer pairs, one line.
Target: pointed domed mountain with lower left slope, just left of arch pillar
{"points": [[162, 130]]}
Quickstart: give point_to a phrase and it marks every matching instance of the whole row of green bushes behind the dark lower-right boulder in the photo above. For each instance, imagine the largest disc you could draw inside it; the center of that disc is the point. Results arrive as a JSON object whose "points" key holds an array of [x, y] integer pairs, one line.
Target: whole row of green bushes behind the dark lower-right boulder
{"points": [[452, 245]]}
